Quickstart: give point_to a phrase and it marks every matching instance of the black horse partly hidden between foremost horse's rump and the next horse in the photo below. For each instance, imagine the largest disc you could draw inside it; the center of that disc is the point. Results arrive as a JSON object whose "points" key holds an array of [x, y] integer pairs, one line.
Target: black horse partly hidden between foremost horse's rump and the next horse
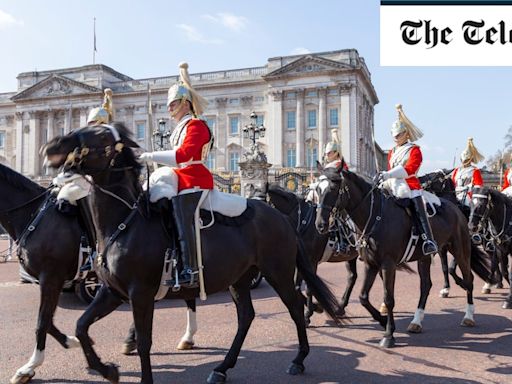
{"points": [[301, 214]]}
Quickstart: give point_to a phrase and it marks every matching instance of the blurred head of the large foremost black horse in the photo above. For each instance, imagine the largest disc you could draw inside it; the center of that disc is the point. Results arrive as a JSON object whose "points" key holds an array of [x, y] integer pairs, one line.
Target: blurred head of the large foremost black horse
{"points": [[92, 149]]}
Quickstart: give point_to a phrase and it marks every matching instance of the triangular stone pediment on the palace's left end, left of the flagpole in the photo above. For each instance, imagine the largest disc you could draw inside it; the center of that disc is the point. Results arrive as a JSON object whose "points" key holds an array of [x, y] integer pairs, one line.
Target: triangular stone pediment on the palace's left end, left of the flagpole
{"points": [[55, 86]]}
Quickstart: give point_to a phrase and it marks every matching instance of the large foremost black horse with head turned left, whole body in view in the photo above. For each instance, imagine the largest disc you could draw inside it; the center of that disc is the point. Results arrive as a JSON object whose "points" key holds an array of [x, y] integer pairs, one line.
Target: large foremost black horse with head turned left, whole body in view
{"points": [[133, 243]]}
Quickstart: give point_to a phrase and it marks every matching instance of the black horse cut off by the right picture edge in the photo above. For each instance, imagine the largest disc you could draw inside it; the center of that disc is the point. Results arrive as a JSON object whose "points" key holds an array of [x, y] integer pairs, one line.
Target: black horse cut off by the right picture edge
{"points": [[492, 213]]}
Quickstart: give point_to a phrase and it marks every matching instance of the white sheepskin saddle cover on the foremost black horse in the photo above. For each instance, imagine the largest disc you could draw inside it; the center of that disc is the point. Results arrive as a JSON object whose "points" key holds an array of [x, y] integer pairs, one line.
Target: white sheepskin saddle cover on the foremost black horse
{"points": [[163, 183]]}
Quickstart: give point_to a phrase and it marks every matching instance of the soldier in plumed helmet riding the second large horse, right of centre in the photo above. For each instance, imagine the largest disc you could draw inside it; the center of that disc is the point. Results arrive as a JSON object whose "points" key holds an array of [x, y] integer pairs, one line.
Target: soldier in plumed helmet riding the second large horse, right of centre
{"points": [[404, 161]]}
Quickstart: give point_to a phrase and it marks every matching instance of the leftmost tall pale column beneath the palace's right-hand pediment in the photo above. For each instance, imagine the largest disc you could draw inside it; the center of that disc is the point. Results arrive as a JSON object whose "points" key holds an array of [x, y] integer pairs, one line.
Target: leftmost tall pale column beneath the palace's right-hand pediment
{"points": [[275, 133]]}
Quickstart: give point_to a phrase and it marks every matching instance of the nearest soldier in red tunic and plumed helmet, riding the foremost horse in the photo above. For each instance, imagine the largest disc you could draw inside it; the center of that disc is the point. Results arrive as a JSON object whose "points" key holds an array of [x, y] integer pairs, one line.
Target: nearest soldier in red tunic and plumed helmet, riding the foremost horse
{"points": [[191, 141]]}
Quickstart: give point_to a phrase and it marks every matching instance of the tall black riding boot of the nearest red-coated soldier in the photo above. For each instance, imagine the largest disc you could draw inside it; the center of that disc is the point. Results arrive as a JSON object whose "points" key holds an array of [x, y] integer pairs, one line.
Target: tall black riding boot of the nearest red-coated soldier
{"points": [[184, 207]]}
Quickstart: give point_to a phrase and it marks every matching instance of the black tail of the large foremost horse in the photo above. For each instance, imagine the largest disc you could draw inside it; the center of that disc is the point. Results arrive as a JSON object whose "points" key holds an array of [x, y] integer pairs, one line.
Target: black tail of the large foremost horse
{"points": [[317, 286]]}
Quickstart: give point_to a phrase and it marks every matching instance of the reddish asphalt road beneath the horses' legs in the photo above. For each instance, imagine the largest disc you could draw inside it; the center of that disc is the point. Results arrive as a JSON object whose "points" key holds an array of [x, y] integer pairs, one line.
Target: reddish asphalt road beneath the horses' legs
{"points": [[444, 353]]}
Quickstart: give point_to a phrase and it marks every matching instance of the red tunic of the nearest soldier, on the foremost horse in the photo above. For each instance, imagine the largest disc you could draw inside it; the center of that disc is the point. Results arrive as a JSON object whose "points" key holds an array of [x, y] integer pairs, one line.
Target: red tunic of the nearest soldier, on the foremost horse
{"points": [[197, 135]]}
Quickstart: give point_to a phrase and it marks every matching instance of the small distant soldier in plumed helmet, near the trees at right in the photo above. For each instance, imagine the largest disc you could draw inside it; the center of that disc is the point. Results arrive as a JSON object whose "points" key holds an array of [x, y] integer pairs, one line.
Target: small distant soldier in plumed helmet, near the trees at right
{"points": [[468, 176]]}
